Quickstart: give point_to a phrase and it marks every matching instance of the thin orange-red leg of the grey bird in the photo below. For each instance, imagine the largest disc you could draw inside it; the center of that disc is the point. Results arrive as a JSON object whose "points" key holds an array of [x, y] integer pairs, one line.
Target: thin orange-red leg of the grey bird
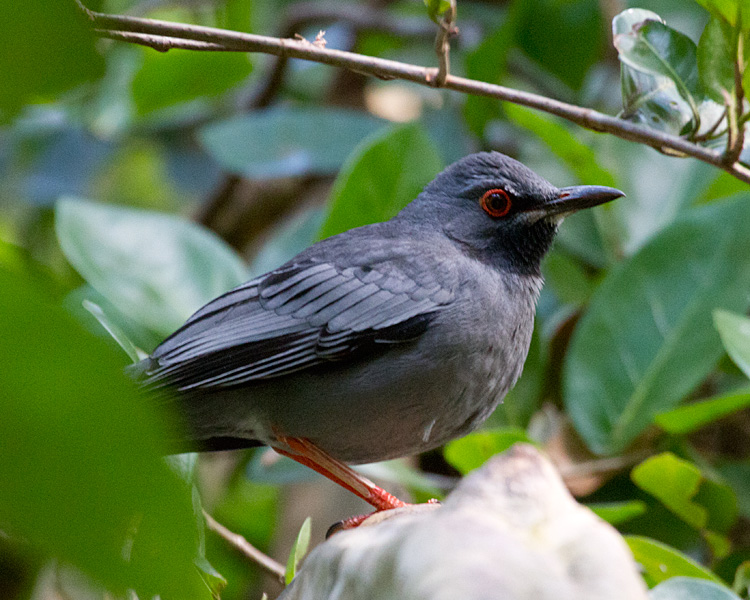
{"points": [[305, 452]]}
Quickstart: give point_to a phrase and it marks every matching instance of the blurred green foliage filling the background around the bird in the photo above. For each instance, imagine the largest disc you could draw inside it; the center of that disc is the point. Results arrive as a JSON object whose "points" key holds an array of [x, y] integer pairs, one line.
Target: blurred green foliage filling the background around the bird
{"points": [[137, 185]]}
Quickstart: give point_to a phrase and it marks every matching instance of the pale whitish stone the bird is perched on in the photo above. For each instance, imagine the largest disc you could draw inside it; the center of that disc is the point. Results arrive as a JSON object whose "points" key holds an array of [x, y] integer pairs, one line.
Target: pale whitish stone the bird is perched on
{"points": [[509, 531]]}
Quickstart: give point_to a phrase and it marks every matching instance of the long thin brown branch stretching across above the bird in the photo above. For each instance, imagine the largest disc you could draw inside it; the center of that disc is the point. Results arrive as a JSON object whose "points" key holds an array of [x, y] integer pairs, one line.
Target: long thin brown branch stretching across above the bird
{"points": [[390, 69]]}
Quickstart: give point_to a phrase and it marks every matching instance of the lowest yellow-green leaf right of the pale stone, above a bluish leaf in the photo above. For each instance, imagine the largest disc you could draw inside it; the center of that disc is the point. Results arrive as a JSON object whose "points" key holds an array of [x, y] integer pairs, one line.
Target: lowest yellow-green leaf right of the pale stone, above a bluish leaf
{"points": [[660, 562]]}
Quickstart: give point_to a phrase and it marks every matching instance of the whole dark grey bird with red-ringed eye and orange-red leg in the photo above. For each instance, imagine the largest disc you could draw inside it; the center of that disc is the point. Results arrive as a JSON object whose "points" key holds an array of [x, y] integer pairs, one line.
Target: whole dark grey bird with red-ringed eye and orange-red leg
{"points": [[383, 341]]}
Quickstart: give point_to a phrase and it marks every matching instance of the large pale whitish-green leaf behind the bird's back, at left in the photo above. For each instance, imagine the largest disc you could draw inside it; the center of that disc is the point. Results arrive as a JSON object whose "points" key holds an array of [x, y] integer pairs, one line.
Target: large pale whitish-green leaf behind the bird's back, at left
{"points": [[157, 269]]}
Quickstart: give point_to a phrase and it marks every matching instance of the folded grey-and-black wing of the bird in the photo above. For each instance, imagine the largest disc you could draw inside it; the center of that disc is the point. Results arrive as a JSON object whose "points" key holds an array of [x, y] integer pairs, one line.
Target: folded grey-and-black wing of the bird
{"points": [[300, 315]]}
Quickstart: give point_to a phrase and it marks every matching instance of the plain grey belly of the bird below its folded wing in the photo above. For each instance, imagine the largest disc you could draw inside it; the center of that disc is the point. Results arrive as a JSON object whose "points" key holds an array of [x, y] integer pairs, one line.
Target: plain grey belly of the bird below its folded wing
{"points": [[394, 406]]}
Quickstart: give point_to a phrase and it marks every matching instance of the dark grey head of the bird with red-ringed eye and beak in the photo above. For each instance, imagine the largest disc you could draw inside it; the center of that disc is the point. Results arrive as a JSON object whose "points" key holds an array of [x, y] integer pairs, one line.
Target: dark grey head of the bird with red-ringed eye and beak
{"points": [[501, 210]]}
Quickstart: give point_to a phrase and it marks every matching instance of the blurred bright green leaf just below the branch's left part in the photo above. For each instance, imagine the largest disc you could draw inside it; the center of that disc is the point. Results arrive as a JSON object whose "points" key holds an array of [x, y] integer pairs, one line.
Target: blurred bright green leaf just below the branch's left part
{"points": [[178, 76]]}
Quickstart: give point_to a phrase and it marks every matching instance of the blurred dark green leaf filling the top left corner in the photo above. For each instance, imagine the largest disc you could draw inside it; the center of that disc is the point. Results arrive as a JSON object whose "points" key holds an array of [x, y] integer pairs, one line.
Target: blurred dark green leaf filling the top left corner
{"points": [[48, 47]]}
